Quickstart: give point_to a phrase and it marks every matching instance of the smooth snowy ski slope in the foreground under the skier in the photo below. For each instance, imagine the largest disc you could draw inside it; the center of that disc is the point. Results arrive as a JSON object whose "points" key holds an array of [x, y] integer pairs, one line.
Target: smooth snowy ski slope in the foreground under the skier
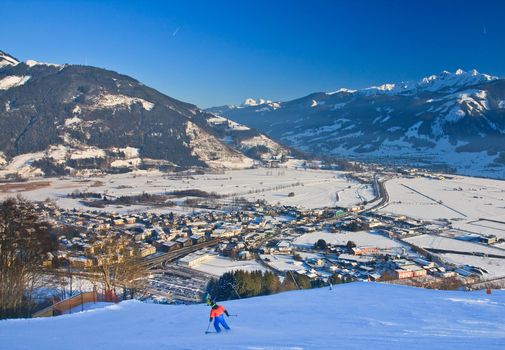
{"points": [[351, 316]]}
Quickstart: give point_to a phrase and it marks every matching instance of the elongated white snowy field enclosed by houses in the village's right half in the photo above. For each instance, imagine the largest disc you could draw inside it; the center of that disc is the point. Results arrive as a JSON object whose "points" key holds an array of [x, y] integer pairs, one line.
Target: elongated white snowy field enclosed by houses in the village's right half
{"points": [[361, 238]]}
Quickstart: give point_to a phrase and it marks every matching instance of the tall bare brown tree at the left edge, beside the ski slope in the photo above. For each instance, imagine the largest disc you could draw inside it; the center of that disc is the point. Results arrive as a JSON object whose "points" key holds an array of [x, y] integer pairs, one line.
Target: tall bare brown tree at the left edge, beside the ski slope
{"points": [[24, 242]]}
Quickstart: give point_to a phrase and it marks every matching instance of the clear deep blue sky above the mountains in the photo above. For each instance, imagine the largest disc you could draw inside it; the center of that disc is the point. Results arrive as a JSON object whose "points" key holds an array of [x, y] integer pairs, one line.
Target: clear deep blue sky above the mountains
{"points": [[219, 52]]}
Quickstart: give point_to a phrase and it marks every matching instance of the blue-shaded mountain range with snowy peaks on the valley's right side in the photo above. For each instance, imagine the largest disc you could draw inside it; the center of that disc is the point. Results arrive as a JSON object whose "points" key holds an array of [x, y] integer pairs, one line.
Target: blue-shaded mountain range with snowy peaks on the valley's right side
{"points": [[449, 120]]}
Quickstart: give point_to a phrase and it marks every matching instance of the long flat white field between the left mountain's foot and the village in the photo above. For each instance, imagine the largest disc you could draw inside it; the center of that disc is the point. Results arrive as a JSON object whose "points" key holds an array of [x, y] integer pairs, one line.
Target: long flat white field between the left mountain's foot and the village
{"points": [[312, 188]]}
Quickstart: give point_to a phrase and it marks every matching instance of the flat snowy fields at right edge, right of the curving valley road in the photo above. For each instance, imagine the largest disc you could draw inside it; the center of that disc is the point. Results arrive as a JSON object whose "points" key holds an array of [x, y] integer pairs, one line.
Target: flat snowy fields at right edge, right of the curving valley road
{"points": [[472, 205]]}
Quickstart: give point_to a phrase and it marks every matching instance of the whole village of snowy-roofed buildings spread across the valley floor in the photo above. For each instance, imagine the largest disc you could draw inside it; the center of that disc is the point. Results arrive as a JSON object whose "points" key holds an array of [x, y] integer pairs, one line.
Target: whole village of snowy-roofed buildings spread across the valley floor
{"points": [[186, 250]]}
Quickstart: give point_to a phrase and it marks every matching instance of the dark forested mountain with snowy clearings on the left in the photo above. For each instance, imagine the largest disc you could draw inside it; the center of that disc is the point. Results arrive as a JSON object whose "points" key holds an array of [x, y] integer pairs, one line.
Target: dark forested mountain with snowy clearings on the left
{"points": [[60, 119]]}
